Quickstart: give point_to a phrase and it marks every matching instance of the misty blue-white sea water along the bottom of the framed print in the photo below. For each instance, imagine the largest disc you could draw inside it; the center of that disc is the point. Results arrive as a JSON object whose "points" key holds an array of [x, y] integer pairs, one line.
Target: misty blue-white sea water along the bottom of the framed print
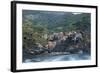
{"points": [[52, 58]]}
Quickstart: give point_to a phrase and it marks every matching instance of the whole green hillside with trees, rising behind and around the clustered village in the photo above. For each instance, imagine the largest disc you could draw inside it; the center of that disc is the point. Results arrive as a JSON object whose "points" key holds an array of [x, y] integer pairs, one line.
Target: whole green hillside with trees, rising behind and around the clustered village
{"points": [[37, 25]]}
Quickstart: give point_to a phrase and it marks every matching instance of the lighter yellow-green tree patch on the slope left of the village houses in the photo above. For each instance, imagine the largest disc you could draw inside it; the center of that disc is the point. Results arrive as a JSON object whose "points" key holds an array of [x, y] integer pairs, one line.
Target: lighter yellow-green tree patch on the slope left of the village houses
{"points": [[33, 34]]}
